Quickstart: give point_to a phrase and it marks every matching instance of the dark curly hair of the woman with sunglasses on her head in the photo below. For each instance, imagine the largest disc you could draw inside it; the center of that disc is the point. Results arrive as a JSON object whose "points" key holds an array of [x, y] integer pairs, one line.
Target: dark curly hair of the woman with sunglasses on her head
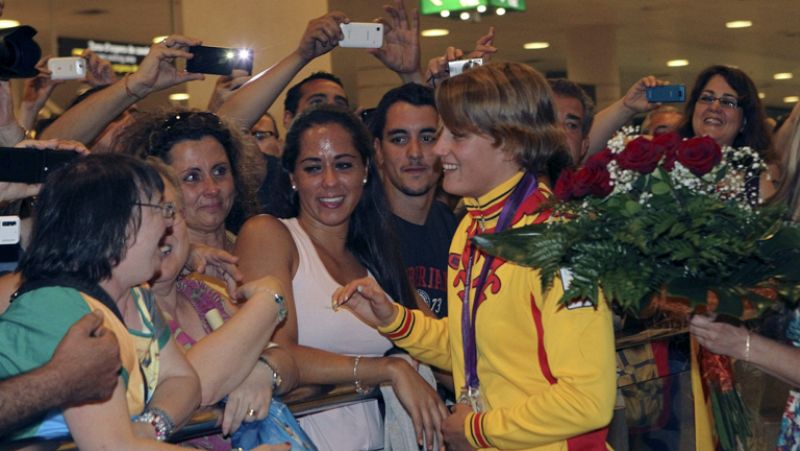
{"points": [[155, 134]]}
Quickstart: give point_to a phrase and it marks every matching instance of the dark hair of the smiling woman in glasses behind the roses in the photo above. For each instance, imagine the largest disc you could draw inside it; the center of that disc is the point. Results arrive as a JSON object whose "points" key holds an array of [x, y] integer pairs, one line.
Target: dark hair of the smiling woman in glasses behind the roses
{"points": [[754, 133]]}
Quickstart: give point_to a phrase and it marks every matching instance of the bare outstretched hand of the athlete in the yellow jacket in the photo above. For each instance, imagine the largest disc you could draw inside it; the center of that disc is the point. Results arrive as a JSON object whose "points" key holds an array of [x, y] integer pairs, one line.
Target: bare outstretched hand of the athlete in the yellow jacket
{"points": [[367, 300]]}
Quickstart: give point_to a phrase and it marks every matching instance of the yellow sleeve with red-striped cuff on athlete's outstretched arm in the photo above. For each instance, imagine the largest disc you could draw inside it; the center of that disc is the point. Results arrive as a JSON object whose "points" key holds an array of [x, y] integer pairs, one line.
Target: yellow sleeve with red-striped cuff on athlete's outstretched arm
{"points": [[426, 339]]}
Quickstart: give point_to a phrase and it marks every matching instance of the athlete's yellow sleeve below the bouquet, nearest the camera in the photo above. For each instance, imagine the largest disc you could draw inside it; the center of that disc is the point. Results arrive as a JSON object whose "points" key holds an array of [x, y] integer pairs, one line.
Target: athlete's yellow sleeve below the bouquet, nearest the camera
{"points": [[579, 346]]}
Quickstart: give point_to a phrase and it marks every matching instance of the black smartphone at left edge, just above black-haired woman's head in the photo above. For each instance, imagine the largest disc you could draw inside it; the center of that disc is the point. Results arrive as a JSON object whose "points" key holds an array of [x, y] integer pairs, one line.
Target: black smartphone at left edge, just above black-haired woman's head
{"points": [[27, 165]]}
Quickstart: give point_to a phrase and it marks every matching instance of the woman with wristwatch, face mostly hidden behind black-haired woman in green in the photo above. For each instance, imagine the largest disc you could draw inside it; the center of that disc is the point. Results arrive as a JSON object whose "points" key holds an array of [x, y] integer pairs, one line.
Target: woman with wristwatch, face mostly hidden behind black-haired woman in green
{"points": [[230, 357]]}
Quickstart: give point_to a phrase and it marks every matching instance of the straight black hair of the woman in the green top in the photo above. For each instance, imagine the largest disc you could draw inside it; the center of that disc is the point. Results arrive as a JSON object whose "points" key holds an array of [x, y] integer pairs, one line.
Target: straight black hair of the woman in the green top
{"points": [[86, 215]]}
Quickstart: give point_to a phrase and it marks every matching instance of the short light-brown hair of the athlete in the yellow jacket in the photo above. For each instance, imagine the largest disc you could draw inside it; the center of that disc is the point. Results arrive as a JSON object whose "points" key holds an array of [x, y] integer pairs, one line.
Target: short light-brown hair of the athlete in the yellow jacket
{"points": [[512, 104]]}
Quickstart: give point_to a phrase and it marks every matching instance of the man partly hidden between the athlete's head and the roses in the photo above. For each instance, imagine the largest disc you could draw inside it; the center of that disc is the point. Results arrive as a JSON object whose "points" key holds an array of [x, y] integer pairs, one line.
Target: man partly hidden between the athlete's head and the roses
{"points": [[575, 111]]}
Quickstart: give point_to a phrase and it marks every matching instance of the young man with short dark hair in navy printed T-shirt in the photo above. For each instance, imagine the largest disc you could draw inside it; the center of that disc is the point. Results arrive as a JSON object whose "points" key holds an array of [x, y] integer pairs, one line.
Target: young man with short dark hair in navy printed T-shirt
{"points": [[404, 125]]}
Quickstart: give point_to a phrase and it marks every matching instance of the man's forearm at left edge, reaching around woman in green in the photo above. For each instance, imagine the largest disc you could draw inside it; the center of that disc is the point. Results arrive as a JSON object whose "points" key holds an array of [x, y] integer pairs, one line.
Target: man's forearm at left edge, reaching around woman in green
{"points": [[24, 397]]}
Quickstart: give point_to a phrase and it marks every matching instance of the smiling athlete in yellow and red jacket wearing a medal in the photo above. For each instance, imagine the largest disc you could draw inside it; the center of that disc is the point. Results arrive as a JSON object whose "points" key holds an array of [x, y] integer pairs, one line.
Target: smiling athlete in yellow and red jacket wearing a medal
{"points": [[534, 373]]}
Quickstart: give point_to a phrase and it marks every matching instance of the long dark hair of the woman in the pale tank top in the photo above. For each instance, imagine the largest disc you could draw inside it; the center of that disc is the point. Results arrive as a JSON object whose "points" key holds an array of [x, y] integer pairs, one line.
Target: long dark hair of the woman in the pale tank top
{"points": [[370, 236]]}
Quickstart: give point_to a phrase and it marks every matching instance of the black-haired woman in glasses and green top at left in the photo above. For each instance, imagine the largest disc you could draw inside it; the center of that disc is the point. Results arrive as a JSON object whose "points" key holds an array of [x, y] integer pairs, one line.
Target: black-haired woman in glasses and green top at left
{"points": [[97, 237]]}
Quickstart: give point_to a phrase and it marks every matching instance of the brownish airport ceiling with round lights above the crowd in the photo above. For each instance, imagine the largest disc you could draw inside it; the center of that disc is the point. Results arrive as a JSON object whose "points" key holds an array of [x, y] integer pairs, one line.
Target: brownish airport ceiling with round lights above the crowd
{"points": [[648, 33]]}
